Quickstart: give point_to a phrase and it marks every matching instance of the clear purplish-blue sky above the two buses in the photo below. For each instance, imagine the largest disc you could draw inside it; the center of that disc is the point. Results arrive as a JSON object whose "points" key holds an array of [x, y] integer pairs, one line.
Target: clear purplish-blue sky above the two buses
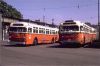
{"points": [[58, 10]]}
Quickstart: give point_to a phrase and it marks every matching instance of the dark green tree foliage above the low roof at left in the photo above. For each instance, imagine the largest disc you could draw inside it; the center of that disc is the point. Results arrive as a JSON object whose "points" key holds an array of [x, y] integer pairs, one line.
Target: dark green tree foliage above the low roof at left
{"points": [[8, 11]]}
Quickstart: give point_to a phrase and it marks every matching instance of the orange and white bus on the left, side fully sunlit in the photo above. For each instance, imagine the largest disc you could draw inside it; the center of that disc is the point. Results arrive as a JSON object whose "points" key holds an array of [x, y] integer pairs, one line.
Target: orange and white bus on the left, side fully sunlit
{"points": [[28, 33]]}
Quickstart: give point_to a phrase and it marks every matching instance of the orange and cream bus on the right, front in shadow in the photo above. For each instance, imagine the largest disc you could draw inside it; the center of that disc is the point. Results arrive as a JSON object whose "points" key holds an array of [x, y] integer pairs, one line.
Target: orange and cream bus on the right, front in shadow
{"points": [[76, 32]]}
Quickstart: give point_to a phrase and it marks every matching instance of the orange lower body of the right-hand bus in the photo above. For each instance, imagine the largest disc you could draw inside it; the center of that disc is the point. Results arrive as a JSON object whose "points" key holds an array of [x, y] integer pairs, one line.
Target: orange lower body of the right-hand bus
{"points": [[81, 38]]}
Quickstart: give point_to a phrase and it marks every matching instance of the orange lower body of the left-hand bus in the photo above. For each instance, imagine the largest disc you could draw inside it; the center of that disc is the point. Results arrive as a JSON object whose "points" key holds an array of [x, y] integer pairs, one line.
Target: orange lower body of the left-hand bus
{"points": [[29, 37]]}
